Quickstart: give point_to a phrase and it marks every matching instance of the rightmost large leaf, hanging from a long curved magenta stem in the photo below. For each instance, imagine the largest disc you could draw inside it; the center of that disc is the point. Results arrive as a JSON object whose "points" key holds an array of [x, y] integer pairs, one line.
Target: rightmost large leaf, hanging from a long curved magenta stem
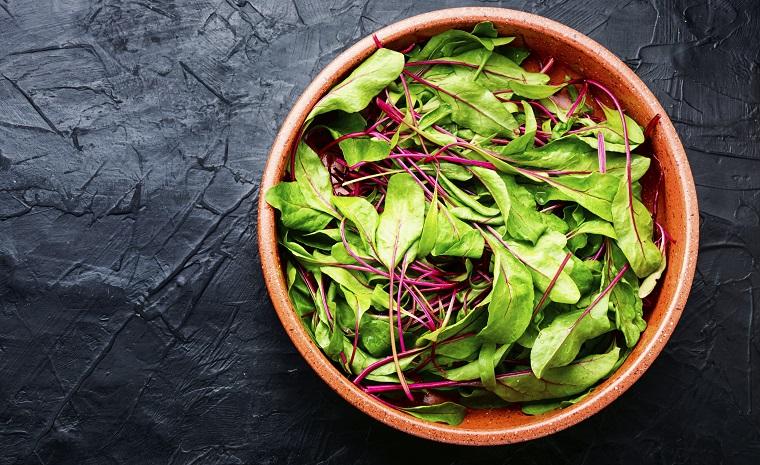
{"points": [[634, 232]]}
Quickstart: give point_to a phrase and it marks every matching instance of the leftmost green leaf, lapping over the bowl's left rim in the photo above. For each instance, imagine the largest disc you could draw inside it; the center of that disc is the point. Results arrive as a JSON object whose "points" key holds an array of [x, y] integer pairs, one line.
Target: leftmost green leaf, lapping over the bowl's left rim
{"points": [[295, 212]]}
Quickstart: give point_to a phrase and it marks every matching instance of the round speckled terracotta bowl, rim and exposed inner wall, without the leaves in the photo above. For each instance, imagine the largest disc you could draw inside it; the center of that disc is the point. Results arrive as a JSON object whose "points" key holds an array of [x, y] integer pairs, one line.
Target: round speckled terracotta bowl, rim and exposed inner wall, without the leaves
{"points": [[677, 212]]}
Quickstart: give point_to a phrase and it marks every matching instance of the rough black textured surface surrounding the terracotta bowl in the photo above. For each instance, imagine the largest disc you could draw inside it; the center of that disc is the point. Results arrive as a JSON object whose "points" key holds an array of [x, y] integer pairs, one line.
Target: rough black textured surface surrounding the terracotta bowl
{"points": [[134, 323]]}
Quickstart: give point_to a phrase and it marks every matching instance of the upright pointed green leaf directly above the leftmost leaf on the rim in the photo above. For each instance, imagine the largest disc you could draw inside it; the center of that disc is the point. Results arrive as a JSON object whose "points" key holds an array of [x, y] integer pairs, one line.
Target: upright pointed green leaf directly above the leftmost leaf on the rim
{"points": [[313, 180]]}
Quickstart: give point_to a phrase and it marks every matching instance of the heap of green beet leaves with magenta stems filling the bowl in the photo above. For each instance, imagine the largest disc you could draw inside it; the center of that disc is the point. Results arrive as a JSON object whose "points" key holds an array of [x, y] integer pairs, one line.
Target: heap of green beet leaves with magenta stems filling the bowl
{"points": [[460, 232]]}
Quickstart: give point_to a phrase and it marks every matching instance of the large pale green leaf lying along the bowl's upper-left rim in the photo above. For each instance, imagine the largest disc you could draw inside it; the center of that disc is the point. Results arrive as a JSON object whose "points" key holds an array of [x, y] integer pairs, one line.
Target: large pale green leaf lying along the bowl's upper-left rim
{"points": [[355, 92]]}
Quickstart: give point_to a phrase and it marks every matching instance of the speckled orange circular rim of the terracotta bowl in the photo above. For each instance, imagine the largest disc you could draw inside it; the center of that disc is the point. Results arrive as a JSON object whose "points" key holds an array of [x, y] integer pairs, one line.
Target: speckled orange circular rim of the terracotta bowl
{"points": [[274, 278]]}
